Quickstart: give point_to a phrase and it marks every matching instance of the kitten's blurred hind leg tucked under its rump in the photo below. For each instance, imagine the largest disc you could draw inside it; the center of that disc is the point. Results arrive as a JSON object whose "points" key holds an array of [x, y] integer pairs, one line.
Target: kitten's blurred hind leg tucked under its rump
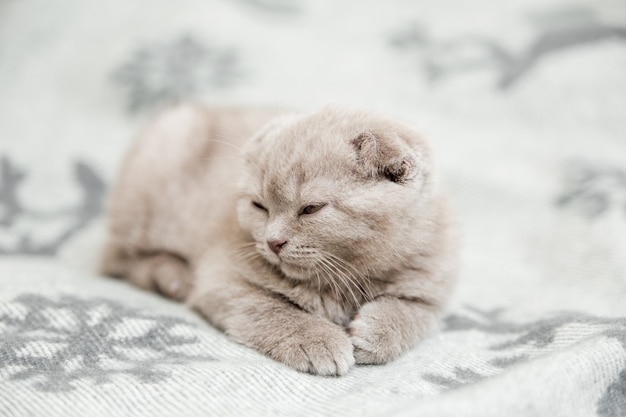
{"points": [[162, 271]]}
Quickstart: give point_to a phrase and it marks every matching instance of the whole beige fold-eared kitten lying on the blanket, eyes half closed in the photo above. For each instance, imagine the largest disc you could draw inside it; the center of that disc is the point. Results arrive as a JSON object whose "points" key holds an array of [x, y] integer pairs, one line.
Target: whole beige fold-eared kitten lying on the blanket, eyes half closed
{"points": [[321, 241]]}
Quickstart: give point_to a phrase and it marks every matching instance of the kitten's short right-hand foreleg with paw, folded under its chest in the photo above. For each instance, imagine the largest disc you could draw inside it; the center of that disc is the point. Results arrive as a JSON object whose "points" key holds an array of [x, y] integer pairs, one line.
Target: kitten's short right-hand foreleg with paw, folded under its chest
{"points": [[385, 328]]}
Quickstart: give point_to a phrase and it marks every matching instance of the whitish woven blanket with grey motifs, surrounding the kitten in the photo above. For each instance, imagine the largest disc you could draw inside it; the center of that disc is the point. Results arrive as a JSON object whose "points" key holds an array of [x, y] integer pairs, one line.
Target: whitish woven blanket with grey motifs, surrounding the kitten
{"points": [[525, 102]]}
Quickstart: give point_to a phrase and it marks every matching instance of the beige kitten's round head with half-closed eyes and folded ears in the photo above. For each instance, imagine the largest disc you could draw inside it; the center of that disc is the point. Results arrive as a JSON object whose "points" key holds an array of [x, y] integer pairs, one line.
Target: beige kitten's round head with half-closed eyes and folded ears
{"points": [[336, 192]]}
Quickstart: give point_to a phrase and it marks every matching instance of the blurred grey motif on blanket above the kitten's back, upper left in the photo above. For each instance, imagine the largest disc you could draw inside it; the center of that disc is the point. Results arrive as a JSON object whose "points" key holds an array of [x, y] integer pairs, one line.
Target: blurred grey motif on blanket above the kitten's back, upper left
{"points": [[185, 67]]}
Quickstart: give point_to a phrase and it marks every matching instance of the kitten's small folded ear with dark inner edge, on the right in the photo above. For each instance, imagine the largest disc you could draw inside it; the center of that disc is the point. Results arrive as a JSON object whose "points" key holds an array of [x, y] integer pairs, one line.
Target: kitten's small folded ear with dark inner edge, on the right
{"points": [[386, 155]]}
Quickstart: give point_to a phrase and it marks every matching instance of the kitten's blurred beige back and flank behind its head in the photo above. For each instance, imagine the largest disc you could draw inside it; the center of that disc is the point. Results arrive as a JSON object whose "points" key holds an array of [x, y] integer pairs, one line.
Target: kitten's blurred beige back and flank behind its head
{"points": [[176, 186]]}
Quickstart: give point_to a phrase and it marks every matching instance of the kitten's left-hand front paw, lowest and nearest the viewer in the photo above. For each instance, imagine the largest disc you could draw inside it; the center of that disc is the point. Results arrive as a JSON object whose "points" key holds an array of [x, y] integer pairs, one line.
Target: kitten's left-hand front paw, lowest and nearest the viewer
{"points": [[321, 349]]}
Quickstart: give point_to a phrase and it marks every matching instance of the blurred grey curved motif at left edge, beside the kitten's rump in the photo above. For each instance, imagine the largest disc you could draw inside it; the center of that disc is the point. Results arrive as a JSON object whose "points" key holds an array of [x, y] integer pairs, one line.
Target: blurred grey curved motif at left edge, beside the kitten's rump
{"points": [[13, 209]]}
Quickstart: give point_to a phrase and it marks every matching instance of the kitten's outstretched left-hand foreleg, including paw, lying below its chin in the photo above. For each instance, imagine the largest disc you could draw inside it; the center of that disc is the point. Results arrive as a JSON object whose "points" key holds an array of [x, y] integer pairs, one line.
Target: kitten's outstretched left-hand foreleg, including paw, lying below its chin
{"points": [[268, 322]]}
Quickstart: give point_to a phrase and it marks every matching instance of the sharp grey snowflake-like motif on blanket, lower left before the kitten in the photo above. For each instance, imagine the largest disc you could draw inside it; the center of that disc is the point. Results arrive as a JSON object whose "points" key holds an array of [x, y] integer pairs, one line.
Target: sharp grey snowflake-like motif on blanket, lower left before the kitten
{"points": [[56, 343]]}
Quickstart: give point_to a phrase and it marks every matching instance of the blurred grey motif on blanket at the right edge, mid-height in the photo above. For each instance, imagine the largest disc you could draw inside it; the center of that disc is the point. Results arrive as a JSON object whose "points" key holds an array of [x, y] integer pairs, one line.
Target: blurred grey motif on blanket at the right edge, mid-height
{"points": [[593, 189]]}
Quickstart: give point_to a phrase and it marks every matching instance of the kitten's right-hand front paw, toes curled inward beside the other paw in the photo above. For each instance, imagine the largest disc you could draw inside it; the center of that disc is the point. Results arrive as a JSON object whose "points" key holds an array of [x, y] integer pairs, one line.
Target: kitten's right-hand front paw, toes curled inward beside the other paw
{"points": [[375, 341]]}
